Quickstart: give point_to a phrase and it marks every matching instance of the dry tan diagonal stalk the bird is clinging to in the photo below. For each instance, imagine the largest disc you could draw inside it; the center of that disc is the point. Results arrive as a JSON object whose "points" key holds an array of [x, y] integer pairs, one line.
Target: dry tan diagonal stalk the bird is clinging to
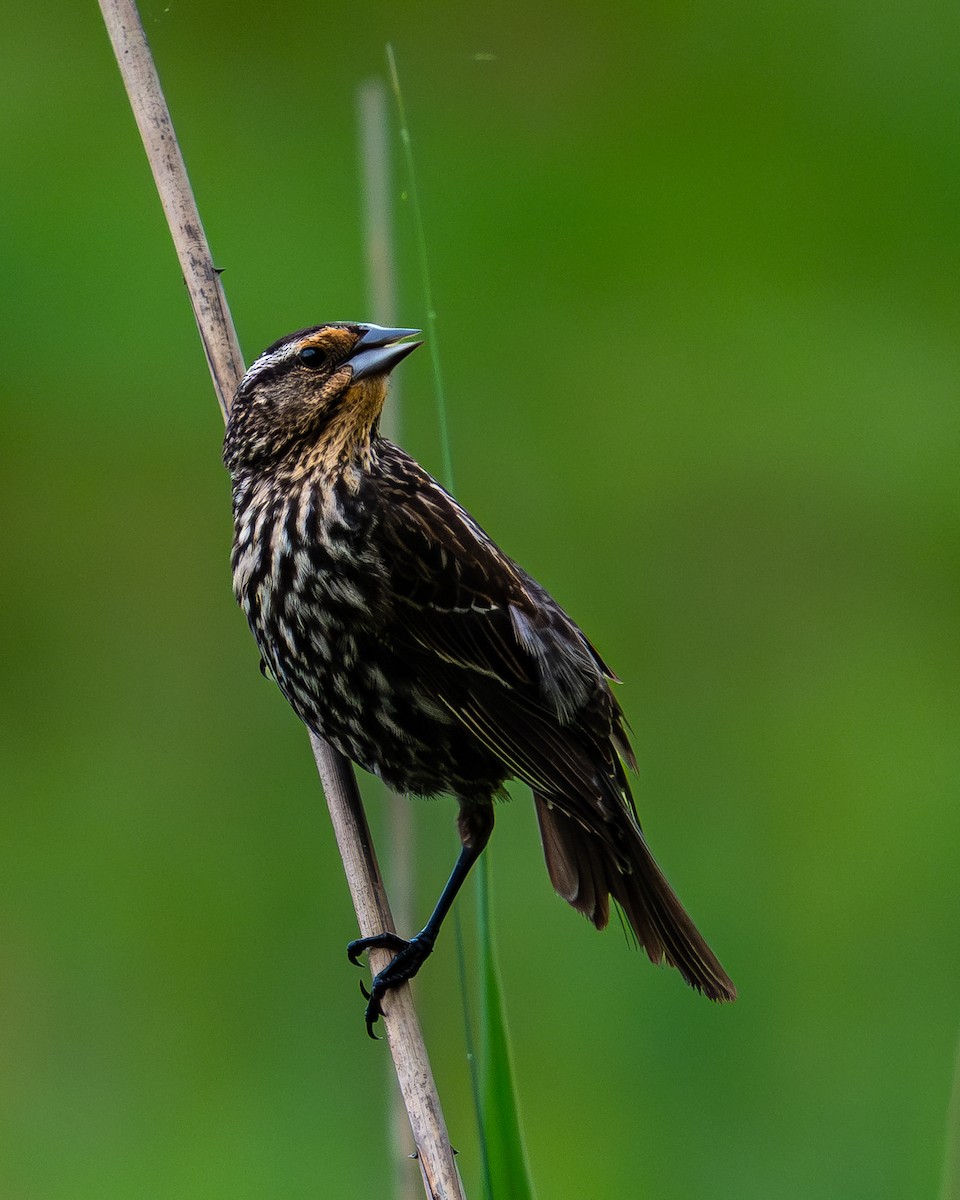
{"points": [[224, 357]]}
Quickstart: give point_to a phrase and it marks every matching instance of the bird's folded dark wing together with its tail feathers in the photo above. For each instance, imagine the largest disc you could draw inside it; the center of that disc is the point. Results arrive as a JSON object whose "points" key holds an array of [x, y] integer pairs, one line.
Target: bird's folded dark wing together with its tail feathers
{"points": [[503, 657]]}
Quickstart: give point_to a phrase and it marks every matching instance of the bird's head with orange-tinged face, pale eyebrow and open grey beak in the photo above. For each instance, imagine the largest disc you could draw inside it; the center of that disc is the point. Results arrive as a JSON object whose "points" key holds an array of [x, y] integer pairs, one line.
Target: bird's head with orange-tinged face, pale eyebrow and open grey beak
{"points": [[315, 395]]}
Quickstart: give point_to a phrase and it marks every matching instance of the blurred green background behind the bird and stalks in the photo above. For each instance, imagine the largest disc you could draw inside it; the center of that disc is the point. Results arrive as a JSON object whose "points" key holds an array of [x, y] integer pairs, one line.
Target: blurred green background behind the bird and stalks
{"points": [[697, 269]]}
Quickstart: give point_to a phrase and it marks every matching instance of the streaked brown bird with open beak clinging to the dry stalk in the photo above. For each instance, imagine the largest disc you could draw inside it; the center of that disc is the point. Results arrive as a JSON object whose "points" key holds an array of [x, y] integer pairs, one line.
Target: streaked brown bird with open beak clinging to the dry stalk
{"points": [[401, 634]]}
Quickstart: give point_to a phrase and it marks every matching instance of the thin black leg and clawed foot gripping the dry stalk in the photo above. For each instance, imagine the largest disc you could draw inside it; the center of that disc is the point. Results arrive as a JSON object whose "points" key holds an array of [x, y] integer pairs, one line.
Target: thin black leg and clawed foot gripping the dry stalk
{"points": [[476, 824]]}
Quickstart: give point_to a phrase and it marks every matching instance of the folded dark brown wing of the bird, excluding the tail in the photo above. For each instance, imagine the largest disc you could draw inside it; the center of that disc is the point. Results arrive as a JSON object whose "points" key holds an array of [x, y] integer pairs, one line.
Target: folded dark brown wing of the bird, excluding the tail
{"points": [[499, 651]]}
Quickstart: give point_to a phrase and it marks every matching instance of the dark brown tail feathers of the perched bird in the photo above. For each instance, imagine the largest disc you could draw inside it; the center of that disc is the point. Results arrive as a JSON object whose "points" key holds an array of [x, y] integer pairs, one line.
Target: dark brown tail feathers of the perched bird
{"points": [[586, 873]]}
